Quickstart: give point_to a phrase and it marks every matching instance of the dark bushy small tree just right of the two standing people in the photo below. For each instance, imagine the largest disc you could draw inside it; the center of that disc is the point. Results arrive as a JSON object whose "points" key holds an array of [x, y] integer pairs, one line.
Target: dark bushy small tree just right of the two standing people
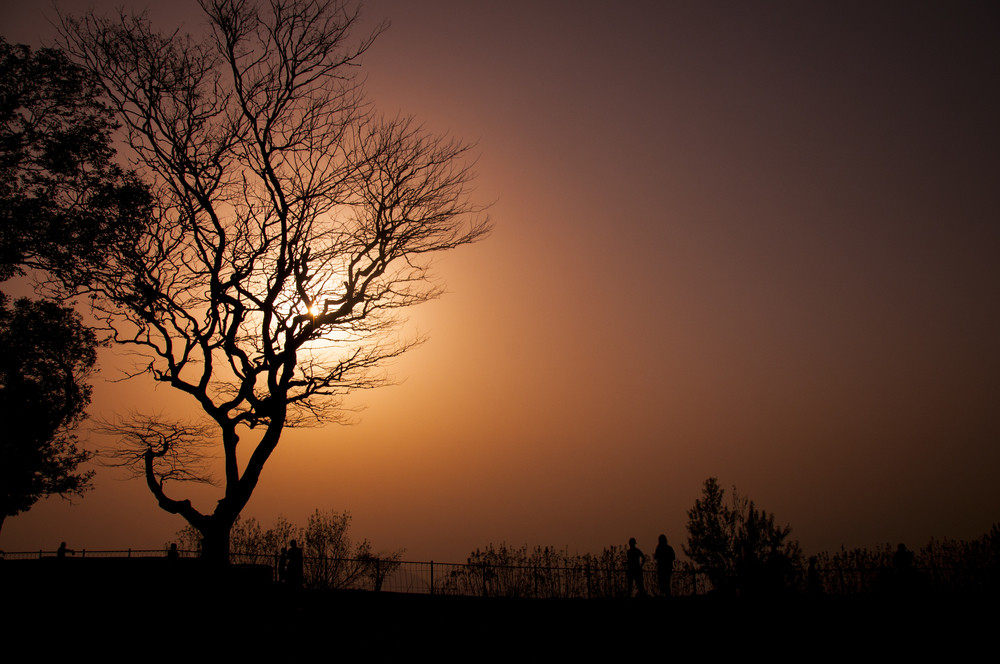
{"points": [[738, 546]]}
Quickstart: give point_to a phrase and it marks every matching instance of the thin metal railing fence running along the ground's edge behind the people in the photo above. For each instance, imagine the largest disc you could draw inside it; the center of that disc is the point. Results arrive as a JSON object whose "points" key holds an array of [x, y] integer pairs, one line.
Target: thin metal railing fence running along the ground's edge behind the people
{"points": [[579, 581]]}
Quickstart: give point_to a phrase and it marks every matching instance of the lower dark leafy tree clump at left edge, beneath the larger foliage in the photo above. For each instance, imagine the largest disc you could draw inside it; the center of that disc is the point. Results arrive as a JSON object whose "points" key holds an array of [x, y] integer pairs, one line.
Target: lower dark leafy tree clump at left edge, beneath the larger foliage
{"points": [[46, 355]]}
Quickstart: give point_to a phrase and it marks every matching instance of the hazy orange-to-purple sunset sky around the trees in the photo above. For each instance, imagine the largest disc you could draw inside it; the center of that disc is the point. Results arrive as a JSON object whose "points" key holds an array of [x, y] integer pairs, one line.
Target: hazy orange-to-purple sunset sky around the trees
{"points": [[751, 240]]}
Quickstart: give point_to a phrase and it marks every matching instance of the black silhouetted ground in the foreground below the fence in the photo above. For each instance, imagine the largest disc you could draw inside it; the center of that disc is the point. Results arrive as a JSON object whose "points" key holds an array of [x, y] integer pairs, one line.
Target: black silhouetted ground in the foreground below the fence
{"points": [[152, 608]]}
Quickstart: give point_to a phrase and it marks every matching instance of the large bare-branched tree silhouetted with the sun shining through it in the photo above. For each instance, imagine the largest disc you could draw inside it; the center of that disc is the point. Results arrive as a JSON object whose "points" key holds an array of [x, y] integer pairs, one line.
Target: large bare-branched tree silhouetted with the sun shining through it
{"points": [[291, 223]]}
